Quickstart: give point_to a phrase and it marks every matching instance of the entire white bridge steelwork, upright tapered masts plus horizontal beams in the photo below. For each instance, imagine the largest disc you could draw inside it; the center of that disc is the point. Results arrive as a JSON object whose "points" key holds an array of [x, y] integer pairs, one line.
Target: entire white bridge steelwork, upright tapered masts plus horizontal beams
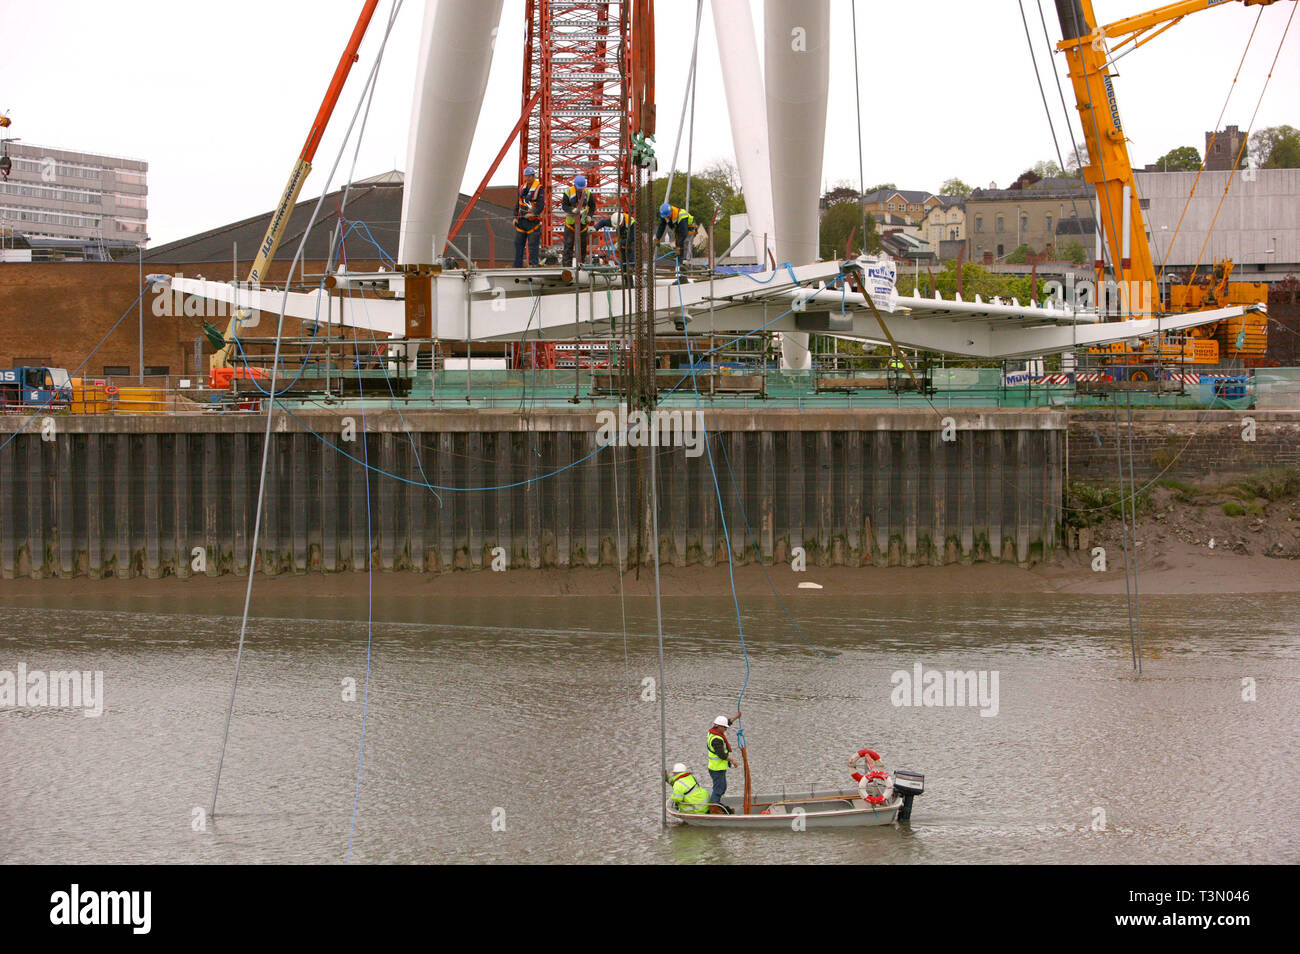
{"points": [[781, 171]]}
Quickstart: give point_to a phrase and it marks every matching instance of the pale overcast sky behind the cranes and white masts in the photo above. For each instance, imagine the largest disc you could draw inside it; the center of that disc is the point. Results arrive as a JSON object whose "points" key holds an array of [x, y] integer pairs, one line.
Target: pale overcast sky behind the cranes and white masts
{"points": [[218, 97]]}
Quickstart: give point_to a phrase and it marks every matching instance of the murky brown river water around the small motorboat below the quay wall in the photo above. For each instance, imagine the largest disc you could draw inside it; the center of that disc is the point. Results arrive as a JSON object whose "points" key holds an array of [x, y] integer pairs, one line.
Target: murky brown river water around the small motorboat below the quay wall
{"points": [[518, 731]]}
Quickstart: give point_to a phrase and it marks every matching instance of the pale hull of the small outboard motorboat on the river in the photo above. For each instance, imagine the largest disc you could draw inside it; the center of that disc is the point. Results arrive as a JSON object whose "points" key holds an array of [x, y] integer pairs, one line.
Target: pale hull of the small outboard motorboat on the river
{"points": [[814, 808]]}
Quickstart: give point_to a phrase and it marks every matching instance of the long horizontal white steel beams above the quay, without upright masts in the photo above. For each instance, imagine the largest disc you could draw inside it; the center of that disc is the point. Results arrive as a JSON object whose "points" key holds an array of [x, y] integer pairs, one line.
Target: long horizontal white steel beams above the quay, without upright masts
{"points": [[544, 305]]}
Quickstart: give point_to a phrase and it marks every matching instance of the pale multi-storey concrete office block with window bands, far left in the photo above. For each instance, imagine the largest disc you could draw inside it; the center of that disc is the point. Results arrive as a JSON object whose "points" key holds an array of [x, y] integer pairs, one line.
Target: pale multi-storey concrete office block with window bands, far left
{"points": [[72, 205]]}
